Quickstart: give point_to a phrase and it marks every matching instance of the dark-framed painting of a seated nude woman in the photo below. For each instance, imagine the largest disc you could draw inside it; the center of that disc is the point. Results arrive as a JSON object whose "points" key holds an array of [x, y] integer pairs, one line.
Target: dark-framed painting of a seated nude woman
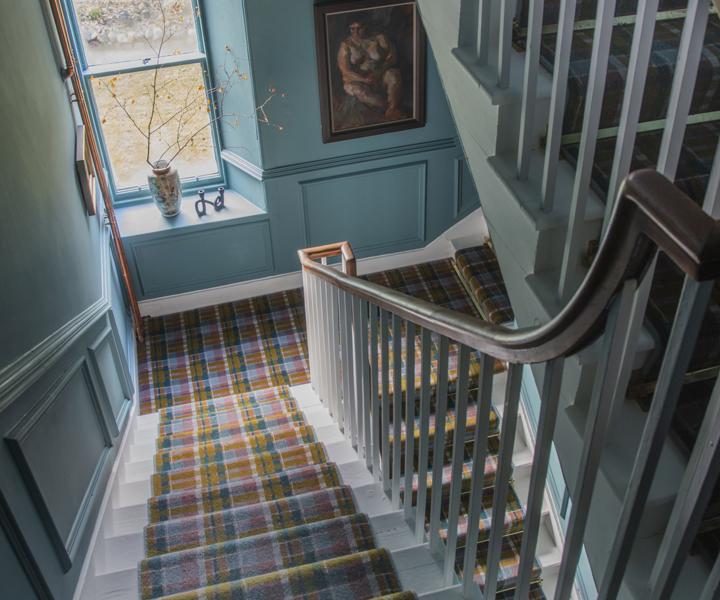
{"points": [[371, 67]]}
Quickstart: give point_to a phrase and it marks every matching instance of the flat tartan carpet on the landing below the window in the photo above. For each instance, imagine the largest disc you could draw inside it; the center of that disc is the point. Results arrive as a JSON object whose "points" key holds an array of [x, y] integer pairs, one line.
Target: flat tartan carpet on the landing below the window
{"points": [[231, 348]]}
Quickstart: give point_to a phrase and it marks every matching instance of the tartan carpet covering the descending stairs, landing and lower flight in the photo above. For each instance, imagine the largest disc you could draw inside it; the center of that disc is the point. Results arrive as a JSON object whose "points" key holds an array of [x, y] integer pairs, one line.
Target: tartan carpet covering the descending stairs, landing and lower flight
{"points": [[245, 501]]}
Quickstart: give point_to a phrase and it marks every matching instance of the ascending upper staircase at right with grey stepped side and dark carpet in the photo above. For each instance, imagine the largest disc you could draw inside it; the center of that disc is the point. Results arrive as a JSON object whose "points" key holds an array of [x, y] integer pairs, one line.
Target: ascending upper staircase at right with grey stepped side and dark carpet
{"points": [[518, 107]]}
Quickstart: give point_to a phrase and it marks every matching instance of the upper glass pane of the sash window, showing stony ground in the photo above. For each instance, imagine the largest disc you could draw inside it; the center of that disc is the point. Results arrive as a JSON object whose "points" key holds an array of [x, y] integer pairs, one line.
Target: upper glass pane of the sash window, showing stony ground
{"points": [[119, 30]]}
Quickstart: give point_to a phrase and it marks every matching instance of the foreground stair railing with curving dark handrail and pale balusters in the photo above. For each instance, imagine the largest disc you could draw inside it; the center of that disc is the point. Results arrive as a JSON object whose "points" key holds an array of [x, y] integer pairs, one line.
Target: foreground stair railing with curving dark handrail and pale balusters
{"points": [[347, 316]]}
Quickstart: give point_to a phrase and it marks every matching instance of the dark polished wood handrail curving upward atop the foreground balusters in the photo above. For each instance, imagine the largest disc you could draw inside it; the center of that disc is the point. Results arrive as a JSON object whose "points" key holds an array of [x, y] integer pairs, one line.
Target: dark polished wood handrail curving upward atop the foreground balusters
{"points": [[650, 213]]}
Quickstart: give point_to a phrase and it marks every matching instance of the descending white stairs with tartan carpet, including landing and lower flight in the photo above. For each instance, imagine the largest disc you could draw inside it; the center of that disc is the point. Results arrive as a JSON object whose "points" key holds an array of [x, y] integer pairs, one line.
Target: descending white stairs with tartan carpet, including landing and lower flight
{"points": [[259, 492]]}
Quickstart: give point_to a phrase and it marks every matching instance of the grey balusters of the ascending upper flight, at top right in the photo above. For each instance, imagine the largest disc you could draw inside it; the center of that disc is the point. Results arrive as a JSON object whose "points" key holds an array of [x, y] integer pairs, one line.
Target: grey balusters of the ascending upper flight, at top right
{"points": [[478, 30]]}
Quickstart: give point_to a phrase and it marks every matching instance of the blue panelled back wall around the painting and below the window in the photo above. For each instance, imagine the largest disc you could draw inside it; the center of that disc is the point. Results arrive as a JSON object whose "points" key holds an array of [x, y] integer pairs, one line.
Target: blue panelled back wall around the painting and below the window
{"points": [[385, 193]]}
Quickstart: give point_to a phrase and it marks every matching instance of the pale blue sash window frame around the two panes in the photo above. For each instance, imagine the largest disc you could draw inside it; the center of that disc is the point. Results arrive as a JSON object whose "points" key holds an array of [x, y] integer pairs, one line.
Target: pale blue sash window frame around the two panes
{"points": [[141, 195]]}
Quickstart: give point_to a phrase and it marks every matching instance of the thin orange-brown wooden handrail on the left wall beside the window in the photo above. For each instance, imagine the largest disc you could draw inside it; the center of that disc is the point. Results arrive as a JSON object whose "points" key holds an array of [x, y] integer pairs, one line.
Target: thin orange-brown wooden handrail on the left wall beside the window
{"points": [[71, 71]]}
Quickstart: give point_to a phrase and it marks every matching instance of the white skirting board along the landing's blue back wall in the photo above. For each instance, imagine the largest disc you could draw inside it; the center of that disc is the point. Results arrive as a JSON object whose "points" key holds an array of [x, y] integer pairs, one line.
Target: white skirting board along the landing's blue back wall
{"points": [[471, 231]]}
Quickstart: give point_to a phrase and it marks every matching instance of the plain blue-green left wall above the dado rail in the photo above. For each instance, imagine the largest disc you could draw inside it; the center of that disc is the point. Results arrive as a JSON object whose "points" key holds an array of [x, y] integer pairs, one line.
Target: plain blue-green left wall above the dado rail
{"points": [[51, 262]]}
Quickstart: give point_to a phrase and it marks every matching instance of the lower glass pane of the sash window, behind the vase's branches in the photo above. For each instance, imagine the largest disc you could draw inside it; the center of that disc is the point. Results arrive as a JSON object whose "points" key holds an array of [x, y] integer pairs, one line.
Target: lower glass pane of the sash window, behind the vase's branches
{"points": [[177, 119]]}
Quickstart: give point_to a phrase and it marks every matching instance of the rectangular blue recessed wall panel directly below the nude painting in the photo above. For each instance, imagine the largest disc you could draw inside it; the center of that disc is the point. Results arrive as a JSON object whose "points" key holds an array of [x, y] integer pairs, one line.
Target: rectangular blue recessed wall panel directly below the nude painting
{"points": [[373, 210]]}
